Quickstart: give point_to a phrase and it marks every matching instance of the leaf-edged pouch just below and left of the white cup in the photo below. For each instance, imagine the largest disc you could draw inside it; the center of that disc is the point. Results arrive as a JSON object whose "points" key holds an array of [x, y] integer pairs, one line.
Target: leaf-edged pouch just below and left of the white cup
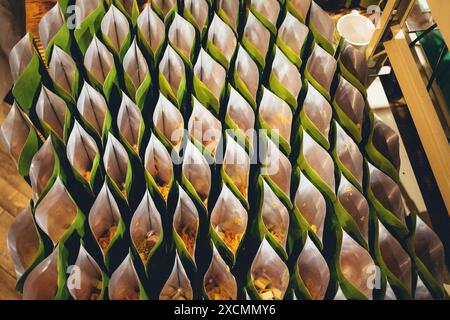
{"points": [[320, 70]]}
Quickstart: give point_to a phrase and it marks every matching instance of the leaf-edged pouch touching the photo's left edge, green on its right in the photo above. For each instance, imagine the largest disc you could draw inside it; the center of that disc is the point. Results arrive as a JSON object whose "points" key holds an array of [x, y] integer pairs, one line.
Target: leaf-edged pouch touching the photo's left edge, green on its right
{"points": [[19, 138]]}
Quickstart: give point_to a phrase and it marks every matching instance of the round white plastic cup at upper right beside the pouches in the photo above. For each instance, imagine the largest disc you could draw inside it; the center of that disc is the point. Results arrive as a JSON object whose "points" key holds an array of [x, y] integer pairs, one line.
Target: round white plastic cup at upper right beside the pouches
{"points": [[356, 30]]}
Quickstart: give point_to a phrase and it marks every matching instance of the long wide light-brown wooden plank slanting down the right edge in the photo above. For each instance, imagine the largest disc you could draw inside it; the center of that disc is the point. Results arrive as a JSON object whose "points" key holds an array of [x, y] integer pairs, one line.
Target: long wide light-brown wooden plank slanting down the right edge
{"points": [[422, 110]]}
